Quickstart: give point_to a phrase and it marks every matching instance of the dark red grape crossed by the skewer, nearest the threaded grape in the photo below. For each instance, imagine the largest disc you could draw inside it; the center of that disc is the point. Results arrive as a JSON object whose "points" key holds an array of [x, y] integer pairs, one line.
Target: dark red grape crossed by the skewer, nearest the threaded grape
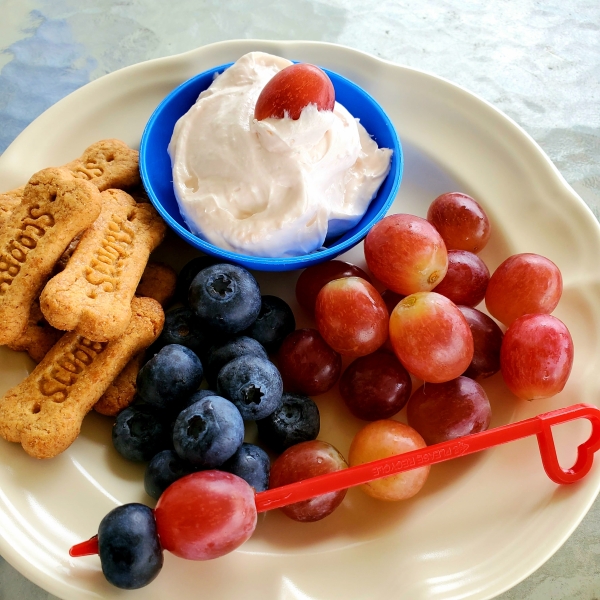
{"points": [[304, 460]]}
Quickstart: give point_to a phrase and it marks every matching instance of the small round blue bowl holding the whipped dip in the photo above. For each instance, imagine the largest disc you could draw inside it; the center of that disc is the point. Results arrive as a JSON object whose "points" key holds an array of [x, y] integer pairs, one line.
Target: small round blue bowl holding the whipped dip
{"points": [[155, 168]]}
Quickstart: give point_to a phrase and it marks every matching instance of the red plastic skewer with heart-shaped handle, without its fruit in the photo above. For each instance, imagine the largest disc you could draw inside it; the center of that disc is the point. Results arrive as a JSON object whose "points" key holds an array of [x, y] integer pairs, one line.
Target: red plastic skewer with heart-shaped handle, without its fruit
{"points": [[541, 426]]}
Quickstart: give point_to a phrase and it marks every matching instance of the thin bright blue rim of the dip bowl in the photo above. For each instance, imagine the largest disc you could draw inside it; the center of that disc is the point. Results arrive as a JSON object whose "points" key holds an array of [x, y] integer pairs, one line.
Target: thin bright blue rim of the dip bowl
{"points": [[272, 263]]}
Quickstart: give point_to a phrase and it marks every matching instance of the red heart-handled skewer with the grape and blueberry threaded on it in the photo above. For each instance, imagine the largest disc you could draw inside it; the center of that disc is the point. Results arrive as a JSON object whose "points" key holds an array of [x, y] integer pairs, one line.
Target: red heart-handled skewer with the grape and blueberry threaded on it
{"points": [[210, 513]]}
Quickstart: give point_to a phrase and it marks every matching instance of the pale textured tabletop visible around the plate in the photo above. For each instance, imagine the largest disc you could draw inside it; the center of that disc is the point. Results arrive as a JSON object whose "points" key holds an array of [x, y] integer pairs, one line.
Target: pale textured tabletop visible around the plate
{"points": [[539, 62]]}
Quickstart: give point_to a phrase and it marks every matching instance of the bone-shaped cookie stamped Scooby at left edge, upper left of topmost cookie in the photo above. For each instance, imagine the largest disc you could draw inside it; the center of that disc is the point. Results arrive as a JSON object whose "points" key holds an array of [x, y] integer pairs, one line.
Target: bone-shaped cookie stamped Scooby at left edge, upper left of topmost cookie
{"points": [[56, 207]]}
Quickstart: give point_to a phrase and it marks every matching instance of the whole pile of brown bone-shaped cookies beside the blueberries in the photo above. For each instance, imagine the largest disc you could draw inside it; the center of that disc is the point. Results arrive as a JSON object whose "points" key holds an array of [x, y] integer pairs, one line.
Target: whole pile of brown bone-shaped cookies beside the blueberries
{"points": [[77, 293]]}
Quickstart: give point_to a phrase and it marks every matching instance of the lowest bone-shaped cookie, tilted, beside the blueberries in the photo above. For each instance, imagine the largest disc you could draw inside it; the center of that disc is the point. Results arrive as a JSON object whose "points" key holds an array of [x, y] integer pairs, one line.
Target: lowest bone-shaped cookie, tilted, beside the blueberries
{"points": [[45, 411]]}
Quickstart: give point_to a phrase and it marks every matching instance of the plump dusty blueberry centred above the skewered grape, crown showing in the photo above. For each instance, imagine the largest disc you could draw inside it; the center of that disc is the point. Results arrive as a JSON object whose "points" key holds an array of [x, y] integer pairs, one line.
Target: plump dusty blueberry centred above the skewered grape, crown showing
{"points": [[209, 432]]}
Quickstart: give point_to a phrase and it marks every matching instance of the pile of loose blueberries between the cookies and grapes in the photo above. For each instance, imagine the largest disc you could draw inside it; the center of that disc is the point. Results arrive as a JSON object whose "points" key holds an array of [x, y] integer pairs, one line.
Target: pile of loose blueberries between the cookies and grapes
{"points": [[224, 333]]}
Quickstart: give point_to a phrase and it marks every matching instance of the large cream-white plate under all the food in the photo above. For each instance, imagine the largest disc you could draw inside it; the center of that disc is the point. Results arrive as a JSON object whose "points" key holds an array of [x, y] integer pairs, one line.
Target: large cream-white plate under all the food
{"points": [[482, 523]]}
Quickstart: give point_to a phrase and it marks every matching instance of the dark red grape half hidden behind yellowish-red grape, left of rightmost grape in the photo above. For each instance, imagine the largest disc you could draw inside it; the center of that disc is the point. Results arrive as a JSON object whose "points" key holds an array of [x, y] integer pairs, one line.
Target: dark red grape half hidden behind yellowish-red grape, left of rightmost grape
{"points": [[487, 339]]}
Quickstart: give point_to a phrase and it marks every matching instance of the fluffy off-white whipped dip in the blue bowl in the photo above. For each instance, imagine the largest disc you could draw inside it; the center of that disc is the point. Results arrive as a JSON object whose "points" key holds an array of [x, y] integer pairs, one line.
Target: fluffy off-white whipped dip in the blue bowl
{"points": [[271, 188]]}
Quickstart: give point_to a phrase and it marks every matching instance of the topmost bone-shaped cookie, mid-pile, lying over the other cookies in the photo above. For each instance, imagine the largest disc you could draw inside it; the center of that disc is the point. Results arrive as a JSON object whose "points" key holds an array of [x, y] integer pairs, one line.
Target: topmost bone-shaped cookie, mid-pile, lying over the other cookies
{"points": [[92, 296]]}
